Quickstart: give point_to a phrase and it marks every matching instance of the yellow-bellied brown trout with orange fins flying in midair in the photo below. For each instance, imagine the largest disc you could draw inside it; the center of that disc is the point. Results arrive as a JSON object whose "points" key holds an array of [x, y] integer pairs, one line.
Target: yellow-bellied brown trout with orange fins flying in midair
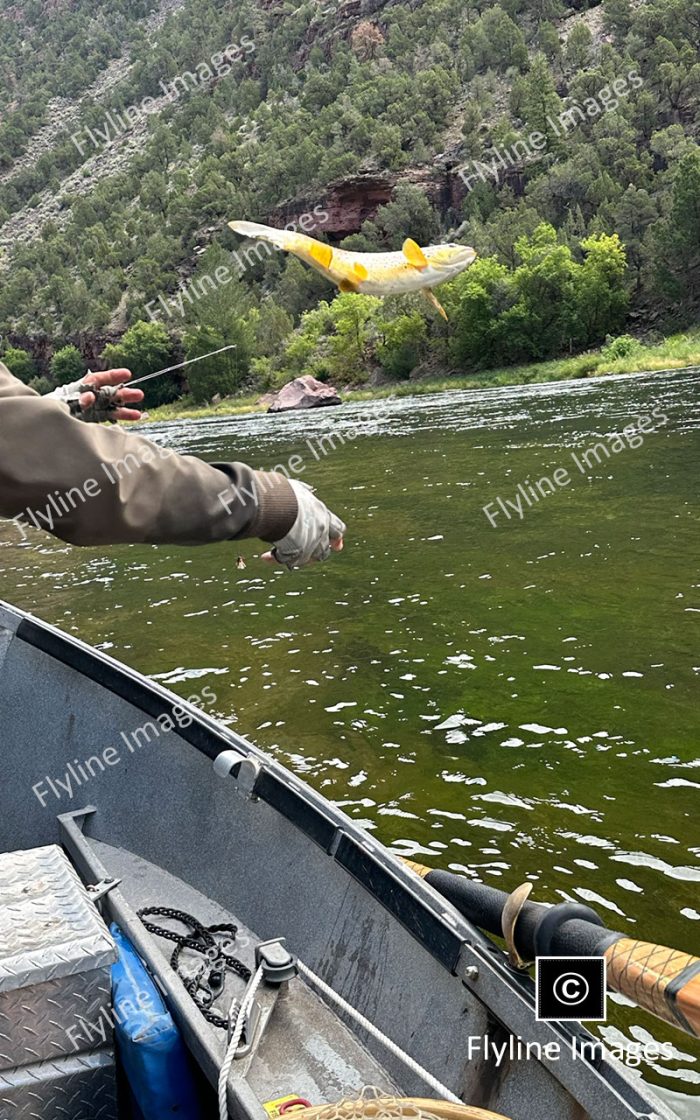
{"points": [[414, 269]]}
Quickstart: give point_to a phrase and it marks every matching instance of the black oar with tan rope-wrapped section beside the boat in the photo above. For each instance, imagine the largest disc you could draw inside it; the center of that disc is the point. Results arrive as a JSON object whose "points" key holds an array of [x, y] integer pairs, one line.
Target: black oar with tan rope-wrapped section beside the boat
{"points": [[661, 981]]}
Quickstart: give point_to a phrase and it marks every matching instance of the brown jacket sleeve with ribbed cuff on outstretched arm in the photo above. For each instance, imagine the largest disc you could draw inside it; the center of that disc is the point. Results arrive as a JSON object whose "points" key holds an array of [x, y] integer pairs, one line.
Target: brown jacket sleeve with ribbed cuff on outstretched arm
{"points": [[92, 486]]}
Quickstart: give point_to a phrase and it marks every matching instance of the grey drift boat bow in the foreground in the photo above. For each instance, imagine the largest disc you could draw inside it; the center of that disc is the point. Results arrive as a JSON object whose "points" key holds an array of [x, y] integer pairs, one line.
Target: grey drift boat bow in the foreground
{"points": [[170, 809]]}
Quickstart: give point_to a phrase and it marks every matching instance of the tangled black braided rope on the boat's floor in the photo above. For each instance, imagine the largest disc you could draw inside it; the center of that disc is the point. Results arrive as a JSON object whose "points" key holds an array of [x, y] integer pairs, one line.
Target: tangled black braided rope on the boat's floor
{"points": [[200, 940]]}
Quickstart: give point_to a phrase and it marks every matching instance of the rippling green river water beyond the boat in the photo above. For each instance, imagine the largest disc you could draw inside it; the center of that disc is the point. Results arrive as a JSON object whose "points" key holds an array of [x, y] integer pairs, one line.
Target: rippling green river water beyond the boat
{"points": [[515, 703]]}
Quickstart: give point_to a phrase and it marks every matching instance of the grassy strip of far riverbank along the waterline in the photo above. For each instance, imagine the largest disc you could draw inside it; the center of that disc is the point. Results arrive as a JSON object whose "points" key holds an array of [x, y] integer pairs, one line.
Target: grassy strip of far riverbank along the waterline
{"points": [[677, 352]]}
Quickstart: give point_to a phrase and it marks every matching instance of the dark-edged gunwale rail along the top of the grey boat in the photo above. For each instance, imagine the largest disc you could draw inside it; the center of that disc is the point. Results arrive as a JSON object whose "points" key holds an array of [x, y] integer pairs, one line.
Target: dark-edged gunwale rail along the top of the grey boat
{"points": [[441, 930]]}
